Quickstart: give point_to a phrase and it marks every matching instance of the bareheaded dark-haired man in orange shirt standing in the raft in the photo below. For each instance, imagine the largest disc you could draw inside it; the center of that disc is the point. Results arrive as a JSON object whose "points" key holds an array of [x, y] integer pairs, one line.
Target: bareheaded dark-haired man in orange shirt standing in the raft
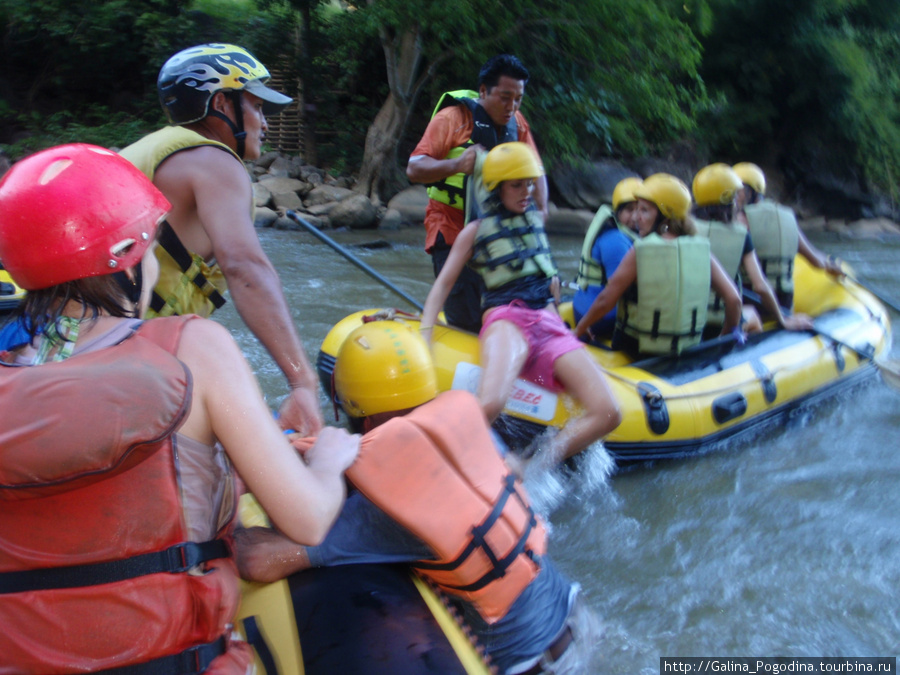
{"points": [[464, 122]]}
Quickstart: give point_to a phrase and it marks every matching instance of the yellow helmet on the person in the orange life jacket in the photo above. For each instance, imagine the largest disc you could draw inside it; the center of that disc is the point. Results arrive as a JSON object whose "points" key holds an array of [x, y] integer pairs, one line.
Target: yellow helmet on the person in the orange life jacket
{"points": [[383, 366]]}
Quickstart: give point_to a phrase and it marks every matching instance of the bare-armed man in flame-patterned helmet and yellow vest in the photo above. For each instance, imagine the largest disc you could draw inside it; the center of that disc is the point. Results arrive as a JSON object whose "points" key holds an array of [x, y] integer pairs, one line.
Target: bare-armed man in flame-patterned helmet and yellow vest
{"points": [[215, 99]]}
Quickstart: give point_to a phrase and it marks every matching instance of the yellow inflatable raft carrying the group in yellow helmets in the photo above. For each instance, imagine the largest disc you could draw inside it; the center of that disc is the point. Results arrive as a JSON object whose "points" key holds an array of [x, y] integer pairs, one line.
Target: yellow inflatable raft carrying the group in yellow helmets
{"points": [[673, 407]]}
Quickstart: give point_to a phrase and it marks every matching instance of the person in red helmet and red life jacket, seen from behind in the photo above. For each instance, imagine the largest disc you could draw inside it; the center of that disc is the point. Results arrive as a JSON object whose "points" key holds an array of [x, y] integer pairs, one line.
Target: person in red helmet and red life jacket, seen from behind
{"points": [[119, 441]]}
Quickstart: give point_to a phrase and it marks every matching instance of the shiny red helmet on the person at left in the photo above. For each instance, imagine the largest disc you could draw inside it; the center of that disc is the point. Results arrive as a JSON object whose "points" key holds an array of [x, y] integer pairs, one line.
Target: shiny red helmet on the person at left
{"points": [[75, 211]]}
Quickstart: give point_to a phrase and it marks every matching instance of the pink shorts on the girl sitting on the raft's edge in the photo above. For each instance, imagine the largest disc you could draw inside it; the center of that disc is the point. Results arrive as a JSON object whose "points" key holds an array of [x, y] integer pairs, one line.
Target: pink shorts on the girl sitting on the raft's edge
{"points": [[548, 338]]}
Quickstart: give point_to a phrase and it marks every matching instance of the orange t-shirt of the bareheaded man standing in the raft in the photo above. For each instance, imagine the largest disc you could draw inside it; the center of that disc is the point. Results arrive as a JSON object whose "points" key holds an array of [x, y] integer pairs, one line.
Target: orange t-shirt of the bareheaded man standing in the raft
{"points": [[452, 127]]}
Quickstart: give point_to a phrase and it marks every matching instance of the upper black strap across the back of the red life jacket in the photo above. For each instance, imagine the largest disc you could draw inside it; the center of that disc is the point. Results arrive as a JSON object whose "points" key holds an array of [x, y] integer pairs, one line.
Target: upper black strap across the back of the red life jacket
{"points": [[175, 559]]}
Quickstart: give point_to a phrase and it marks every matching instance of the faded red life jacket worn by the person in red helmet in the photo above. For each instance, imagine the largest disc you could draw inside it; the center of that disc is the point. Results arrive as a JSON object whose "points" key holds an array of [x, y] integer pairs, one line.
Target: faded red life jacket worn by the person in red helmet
{"points": [[95, 568]]}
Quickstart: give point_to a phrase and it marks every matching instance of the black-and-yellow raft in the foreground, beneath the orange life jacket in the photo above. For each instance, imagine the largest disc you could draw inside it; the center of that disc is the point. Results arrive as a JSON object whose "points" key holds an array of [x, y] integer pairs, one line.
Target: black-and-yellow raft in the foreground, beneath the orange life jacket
{"points": [[351, 619]]}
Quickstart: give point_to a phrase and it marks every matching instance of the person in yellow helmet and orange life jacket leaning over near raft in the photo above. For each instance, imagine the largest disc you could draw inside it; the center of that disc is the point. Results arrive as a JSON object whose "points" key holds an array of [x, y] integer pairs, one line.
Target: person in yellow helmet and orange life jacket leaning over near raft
{"points": [[428, 463]]}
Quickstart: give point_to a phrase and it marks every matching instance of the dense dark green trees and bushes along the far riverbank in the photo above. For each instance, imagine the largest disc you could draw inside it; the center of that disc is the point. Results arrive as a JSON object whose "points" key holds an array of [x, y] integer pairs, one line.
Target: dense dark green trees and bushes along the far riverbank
{"points": [[799, 85]]}
